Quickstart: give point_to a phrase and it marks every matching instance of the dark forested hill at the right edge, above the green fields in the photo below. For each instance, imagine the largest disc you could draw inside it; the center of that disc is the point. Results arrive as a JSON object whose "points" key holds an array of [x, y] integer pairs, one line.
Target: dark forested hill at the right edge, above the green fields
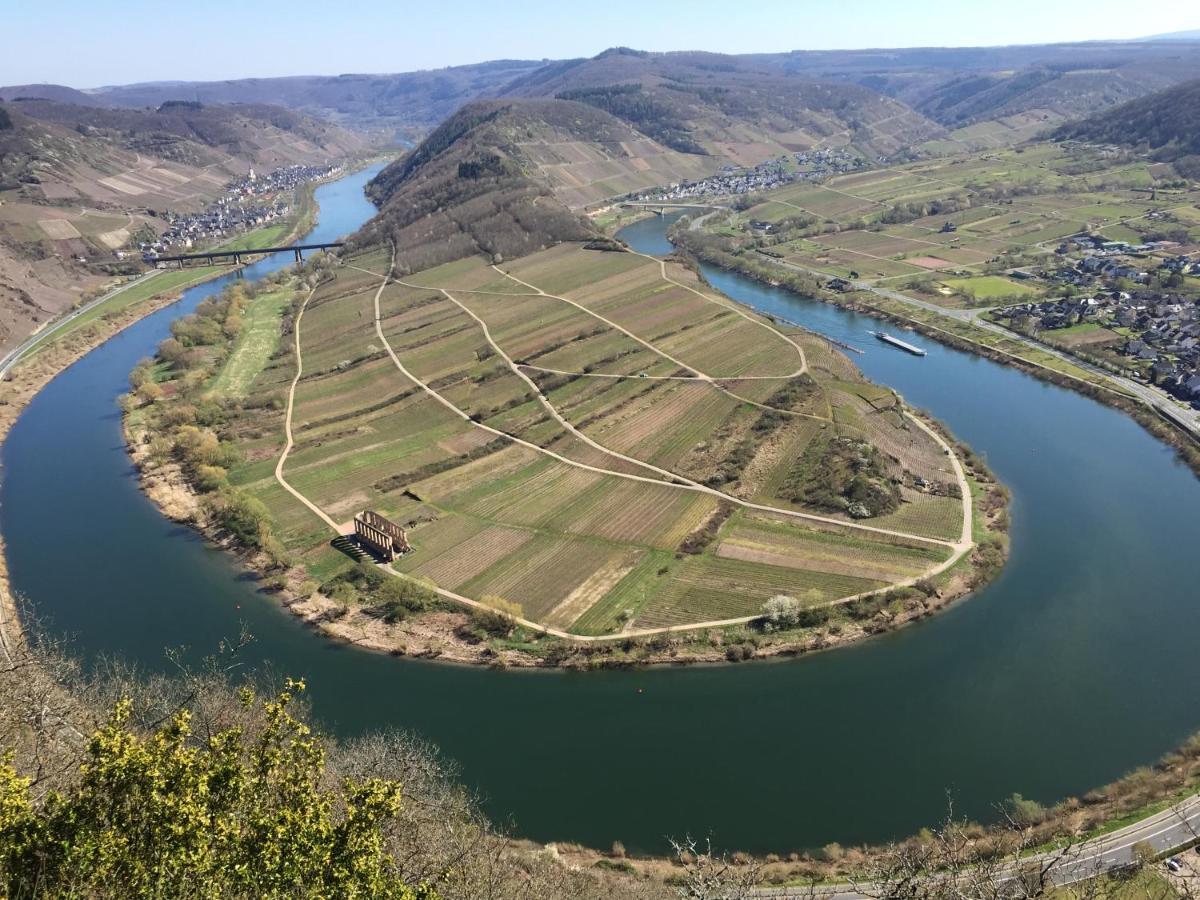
{"points": [[1167, 123]]}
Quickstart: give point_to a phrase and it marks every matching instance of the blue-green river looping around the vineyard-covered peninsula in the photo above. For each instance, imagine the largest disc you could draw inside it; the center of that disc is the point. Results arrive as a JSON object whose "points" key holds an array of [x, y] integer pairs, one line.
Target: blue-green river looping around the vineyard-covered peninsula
{"points": [[1076, 667]]}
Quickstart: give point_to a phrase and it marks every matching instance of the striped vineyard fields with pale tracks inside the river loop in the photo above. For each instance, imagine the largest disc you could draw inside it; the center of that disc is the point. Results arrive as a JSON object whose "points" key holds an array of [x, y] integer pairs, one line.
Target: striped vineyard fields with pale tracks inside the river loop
{"points": [[593, 436]]}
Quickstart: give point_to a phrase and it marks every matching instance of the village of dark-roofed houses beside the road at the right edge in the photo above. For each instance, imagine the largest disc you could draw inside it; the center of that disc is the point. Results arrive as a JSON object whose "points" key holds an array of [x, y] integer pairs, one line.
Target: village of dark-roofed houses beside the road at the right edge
{"points": [[1126, 309]]}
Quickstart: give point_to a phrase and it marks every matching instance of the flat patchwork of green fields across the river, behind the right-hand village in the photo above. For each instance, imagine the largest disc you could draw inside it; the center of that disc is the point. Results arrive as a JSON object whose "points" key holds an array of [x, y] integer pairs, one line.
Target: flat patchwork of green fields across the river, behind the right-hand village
{"points": [[951, 229]]}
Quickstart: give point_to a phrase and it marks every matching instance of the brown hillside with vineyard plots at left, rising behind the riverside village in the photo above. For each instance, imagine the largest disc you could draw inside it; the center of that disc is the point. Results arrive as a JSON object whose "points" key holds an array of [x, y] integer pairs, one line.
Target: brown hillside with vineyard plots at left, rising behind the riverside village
{"points": [[82, 188]]}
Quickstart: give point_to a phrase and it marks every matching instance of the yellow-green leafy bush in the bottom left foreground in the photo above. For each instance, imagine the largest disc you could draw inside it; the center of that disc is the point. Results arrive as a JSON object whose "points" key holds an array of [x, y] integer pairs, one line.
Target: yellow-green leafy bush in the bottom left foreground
{"points": [[169, 815]]}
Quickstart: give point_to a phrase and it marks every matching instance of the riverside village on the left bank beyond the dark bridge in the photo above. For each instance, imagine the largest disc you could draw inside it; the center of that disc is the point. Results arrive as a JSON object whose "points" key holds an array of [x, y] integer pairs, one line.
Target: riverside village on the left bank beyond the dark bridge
{"points": [[249, 203]]}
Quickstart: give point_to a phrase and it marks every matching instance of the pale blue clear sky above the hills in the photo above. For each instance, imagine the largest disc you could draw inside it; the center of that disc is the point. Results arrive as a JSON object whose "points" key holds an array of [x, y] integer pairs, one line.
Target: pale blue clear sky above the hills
{"points": [[87, 44]]}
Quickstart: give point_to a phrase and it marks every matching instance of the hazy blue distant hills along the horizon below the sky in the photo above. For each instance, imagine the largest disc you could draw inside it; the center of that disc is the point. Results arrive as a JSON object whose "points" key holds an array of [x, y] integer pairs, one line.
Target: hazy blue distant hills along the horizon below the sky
{"points": [[950, 86]]}
